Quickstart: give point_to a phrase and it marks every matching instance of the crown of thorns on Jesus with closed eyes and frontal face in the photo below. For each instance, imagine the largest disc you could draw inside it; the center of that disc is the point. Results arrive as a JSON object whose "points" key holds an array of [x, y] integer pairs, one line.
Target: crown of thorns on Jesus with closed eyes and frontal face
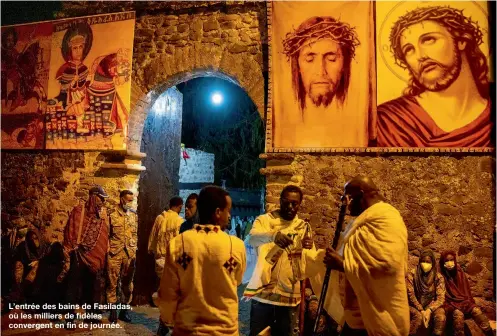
{"points": [[331, 28]]}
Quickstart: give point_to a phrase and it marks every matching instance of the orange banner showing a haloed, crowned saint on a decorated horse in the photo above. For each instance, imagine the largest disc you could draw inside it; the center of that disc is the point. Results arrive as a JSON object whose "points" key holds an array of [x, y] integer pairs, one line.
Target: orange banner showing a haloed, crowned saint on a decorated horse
{"points": [[90, 82]]}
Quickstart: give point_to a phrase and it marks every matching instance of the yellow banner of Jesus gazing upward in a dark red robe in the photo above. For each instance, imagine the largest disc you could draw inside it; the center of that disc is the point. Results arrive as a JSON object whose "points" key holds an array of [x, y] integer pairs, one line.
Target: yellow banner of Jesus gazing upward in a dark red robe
{"points": [[433, 74]]}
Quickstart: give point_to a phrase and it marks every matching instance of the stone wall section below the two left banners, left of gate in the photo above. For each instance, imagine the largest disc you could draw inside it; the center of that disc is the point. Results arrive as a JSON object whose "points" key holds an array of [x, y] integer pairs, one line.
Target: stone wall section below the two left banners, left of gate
{"points": [[39, 189]]}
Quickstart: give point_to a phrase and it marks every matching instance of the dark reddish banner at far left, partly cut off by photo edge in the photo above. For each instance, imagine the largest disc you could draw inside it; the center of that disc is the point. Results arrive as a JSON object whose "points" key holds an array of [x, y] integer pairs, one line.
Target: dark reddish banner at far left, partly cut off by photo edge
{"points": [[25, 64]]}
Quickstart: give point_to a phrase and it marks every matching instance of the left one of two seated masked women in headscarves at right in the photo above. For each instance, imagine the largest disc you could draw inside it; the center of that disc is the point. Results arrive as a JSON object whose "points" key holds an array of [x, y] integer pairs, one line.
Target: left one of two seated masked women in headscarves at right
{"points": [[426, 291]]}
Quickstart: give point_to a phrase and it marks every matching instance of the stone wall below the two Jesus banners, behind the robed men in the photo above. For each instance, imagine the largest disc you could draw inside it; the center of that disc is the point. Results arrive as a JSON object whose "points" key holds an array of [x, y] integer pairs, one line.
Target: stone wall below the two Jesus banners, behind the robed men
{"points": [[447, 202]]}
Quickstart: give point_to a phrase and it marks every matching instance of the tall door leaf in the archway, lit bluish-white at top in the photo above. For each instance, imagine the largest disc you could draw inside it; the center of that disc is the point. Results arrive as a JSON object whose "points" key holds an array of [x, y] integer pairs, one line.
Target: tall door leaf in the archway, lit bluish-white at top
{"points": [[159, 183]]}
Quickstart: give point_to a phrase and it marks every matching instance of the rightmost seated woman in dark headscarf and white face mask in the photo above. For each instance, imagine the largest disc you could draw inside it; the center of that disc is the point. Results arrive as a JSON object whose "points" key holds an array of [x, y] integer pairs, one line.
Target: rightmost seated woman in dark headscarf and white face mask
{"points": [[459, 302]]}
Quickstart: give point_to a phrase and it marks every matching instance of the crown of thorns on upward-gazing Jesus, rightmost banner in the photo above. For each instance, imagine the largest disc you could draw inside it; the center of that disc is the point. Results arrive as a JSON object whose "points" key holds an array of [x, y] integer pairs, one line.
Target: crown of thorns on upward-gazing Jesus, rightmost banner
{"points": [[451, 18]]}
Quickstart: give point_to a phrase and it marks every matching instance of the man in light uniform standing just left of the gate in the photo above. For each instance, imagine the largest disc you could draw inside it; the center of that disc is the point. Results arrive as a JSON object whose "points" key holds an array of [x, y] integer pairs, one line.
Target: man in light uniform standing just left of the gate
{"points": [[122, 253]]}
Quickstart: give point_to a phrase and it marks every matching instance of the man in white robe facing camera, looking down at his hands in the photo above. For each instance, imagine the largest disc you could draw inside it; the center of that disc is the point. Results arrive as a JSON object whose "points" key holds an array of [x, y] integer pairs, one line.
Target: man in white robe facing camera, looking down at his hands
{"points": [[275, 289]]}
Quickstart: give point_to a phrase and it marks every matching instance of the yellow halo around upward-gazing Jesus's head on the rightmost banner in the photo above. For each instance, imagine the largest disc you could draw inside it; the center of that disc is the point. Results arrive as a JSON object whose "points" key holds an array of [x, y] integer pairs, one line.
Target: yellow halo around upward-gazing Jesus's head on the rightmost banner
{"points": [[404, 6]]}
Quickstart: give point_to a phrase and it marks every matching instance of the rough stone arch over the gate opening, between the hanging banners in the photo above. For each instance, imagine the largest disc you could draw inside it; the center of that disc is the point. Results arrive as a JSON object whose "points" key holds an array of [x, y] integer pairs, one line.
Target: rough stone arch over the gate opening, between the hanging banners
{"points": [[173, 48]]}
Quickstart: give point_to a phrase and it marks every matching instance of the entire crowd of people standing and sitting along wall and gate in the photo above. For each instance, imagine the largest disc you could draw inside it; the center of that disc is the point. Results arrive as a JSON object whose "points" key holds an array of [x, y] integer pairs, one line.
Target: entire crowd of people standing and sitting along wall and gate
{"points": [[200, 266]]}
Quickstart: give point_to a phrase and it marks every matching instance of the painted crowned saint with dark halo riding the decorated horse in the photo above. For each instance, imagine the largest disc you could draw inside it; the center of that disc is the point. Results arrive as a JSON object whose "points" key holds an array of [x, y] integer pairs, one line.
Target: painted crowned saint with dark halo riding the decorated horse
{"points": [[73, 74]]}
